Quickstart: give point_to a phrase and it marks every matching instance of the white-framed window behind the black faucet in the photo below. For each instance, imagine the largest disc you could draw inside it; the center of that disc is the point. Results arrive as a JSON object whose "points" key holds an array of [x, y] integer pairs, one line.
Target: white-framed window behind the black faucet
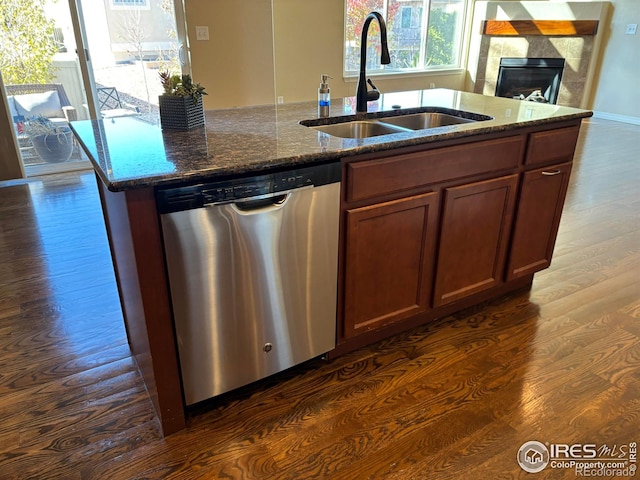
{"points": [[422, 34]]}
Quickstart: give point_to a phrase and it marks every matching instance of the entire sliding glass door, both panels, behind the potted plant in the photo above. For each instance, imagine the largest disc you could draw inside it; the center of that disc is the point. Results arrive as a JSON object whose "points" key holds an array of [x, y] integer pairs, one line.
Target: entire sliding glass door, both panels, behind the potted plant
{"points": [[79, 59]]}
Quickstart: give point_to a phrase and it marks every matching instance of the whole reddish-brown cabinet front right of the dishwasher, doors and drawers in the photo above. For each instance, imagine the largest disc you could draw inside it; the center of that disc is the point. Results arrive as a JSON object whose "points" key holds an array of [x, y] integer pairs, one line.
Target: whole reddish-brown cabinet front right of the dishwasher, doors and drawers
{"points": [[432, 229]]}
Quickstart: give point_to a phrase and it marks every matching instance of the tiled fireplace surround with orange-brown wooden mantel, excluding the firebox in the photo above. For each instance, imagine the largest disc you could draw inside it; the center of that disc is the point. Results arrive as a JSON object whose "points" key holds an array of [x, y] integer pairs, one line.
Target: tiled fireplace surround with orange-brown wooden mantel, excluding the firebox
{"points": [[552, 32]]}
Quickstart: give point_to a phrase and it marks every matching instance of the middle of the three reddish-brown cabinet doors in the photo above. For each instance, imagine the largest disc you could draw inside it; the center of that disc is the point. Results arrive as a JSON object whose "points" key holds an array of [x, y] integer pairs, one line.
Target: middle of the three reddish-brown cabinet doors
{"points": [[476, 222]]}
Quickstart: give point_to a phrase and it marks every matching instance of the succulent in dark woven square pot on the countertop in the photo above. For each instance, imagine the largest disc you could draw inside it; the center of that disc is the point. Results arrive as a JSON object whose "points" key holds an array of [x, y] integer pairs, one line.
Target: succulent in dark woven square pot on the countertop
{"points": [[181, 105]]}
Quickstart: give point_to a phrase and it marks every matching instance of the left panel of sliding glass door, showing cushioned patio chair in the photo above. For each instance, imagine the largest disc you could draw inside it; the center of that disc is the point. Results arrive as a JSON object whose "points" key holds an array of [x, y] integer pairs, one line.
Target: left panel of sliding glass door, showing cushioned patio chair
{"points": [[43, 83]]}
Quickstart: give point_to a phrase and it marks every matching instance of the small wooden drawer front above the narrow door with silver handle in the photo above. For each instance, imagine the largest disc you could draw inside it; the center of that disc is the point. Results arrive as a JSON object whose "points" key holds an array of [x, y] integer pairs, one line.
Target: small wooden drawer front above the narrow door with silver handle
{"points": [[552, 146]]}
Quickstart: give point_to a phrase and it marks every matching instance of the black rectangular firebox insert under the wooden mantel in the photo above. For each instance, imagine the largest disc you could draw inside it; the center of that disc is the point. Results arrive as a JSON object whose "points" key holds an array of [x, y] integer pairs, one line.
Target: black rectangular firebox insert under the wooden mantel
{"points": [[534, 79]]}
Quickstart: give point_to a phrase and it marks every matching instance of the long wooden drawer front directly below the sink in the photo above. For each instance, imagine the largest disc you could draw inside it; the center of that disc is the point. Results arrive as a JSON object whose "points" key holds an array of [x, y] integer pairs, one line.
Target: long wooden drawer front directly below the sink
{"points": [[377, 177]]}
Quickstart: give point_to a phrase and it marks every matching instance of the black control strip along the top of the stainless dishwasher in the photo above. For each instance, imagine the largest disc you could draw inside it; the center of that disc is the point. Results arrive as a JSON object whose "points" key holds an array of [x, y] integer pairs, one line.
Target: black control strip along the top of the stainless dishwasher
{"points": [[225, 191]]}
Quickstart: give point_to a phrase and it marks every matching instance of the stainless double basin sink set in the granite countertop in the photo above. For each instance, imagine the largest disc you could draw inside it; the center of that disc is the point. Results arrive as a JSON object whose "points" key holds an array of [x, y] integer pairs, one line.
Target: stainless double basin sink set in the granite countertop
{"points": [[389, 123]]}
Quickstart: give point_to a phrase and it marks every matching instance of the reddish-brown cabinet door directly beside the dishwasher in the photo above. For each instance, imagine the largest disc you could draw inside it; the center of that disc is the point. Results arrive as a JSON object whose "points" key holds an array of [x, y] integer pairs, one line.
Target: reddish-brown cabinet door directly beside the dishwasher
{"points": [[388, 262]]}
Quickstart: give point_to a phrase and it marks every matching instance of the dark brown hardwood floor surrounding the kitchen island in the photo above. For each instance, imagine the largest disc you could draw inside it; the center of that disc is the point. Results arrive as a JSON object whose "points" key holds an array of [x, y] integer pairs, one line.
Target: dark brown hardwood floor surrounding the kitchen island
{"points": [[454, 399]]}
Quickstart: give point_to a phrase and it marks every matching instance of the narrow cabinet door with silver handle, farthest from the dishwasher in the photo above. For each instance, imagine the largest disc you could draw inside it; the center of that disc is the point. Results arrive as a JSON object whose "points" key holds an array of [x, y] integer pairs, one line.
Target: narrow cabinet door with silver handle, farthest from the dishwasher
{"points": [[537, 219]]}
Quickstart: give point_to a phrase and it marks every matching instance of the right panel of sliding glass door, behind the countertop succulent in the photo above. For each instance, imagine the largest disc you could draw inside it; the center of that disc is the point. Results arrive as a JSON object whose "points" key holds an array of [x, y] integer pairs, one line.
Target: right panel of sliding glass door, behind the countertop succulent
{"points": [[129, 42]]}
